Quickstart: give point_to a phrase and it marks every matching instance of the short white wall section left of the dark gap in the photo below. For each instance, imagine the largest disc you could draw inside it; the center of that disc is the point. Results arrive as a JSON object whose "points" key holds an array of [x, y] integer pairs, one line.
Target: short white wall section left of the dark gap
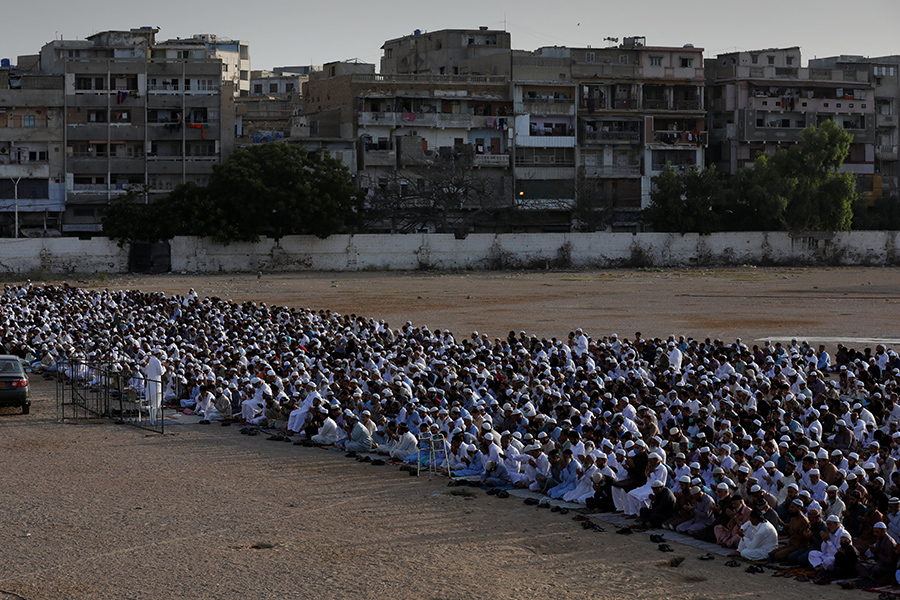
{"points": [[61, 256]]}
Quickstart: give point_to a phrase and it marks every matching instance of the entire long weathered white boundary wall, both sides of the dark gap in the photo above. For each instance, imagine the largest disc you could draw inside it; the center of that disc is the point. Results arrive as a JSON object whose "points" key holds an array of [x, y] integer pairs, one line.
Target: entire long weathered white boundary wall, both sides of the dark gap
{"points": [[477, 251]]}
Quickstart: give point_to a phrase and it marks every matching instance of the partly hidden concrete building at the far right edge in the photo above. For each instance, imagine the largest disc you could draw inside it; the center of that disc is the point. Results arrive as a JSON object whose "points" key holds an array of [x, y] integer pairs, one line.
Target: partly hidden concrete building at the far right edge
{"points": [[883, 73]]}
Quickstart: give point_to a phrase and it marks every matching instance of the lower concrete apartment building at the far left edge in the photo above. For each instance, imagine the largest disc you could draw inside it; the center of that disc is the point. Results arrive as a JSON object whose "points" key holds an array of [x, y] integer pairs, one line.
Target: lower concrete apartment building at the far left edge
{"points": [[32, 173]]}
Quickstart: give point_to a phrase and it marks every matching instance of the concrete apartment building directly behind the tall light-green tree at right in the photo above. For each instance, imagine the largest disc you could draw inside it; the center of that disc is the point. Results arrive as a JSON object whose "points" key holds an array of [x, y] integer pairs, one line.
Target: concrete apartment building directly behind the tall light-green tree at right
{"points": [[760, 100]]}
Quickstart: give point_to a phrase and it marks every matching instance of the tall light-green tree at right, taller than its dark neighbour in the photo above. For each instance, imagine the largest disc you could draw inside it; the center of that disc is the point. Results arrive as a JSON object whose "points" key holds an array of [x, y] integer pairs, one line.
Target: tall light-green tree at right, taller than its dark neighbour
{"points": [[802, 188]]}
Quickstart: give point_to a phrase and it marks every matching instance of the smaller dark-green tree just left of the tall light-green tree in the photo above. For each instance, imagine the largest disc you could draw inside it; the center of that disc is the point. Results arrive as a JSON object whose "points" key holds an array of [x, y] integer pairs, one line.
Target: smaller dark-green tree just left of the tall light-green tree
{"points": [[684, 202]]}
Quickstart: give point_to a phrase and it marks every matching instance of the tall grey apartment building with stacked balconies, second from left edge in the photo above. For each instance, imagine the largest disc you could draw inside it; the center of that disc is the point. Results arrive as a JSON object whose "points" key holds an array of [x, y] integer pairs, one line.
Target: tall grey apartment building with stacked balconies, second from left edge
{"points": [[135, 115]]}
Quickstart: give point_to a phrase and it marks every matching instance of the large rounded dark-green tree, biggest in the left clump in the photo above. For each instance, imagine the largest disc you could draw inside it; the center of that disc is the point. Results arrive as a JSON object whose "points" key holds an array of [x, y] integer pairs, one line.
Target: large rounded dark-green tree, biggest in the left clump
{"points": [[281, 189]]}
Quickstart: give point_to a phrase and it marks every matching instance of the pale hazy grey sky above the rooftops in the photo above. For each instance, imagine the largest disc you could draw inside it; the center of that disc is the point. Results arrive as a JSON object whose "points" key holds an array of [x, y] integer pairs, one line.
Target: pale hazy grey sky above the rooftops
{"points": [[306, 32]]}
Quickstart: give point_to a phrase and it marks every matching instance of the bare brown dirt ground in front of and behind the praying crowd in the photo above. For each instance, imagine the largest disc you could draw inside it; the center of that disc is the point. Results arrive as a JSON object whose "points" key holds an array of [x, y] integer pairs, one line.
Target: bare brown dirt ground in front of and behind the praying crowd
{"points": [[107, 511]]}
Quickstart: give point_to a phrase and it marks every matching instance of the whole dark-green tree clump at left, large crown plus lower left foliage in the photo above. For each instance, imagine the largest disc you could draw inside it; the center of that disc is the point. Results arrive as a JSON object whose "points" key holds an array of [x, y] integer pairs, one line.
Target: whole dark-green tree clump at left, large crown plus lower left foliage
{"points": [[269, 189]]}
